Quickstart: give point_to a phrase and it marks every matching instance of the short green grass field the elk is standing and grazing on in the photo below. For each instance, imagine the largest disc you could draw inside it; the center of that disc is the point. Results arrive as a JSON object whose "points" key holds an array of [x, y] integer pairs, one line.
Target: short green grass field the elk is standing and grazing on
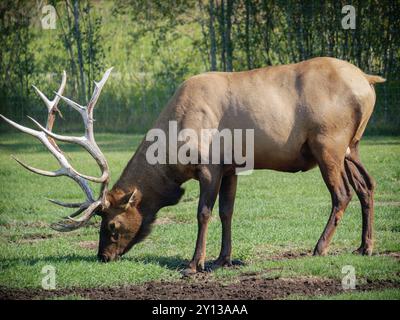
{"points": [[278, 219]]}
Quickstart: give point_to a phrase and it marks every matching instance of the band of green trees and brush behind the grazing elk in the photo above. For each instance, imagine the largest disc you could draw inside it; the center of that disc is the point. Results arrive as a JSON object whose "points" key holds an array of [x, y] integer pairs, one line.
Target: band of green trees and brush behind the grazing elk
{"points": [[155, 45]]}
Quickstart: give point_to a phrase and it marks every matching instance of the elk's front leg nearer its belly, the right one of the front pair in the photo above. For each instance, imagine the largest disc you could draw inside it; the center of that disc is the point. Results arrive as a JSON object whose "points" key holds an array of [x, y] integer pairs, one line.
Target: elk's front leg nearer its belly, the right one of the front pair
{"points": [[227, 195]]}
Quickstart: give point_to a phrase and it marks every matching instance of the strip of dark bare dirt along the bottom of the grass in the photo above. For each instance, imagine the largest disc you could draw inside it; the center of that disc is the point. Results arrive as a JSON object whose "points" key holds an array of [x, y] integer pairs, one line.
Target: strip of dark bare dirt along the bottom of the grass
{"points": [[248, 287]]}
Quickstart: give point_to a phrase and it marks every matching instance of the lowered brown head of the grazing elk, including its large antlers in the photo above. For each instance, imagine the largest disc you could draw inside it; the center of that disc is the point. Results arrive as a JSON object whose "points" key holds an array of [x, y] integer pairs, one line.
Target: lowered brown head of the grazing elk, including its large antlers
{"points": [[121, 219]]}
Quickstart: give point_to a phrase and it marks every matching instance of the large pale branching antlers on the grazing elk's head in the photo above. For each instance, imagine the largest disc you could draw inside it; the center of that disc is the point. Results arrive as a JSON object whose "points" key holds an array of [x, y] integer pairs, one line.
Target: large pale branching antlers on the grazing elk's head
{"points": [[47, 137]]}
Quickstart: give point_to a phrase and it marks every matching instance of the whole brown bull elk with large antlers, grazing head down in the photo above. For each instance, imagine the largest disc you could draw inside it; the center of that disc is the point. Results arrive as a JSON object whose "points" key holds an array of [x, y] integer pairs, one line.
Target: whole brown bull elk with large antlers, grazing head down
{"points": [[305, 114]]}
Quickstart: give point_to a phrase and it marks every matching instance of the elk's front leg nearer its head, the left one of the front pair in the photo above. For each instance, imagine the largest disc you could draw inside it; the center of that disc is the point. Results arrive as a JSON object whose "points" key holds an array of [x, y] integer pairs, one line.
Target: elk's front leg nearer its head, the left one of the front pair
{"points": [[210, 182]]}
